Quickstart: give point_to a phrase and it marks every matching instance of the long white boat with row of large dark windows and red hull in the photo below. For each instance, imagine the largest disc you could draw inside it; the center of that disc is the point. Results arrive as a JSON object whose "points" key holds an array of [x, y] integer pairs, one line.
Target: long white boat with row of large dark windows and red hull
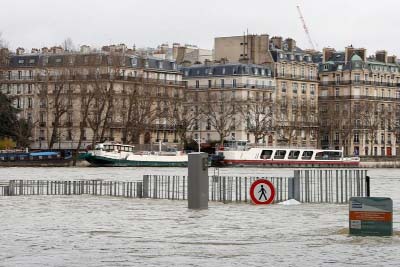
{"points": [[238, 153]]}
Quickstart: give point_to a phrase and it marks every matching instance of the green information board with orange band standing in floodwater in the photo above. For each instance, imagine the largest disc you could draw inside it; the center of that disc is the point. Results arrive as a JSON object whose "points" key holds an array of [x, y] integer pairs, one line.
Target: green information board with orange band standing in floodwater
{"points": [[371, 216]]}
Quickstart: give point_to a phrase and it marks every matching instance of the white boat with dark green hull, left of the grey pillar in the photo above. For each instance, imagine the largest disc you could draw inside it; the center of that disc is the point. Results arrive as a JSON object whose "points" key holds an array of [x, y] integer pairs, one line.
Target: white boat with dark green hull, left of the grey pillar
{"points": [[120, 155]]}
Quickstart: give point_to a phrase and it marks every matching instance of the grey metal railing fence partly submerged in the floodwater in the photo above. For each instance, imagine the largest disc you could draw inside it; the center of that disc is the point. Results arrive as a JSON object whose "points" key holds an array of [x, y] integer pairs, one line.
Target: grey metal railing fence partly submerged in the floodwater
{"points": [[309, 186]]}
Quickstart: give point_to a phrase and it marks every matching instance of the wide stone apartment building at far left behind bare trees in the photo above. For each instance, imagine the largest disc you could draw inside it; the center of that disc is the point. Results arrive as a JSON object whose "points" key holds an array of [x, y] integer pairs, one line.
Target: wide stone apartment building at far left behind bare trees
{"points": [[73, 99]]}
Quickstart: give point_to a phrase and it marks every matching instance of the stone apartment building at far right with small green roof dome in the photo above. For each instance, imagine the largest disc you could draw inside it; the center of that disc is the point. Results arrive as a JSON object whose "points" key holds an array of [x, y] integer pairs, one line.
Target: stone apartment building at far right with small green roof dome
{"points": [[359, 102]]}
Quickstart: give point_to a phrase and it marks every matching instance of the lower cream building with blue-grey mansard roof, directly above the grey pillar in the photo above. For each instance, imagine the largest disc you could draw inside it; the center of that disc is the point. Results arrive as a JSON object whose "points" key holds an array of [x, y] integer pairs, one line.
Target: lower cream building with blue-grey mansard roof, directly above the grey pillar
{"points": [[230, 101]]}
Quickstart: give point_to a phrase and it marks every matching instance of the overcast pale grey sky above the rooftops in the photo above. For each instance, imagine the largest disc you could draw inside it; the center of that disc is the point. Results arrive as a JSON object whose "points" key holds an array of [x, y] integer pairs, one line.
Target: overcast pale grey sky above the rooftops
{"points": [[335, 23]]}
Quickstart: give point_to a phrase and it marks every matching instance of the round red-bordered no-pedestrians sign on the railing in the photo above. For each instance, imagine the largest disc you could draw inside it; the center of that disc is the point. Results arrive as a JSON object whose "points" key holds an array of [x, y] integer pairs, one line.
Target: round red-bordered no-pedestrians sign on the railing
{"points": [[262, 192]]}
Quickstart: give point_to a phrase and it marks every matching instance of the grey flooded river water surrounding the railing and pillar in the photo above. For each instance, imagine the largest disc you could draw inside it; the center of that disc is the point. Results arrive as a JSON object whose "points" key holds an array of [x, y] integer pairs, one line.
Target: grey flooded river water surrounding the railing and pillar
{"points": [[108, 231]]}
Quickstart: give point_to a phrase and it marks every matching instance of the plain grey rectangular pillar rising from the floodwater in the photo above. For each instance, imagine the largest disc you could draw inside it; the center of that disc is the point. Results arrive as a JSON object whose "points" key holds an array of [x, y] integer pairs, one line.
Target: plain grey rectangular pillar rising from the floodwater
{"points": [[198, 181]]}
